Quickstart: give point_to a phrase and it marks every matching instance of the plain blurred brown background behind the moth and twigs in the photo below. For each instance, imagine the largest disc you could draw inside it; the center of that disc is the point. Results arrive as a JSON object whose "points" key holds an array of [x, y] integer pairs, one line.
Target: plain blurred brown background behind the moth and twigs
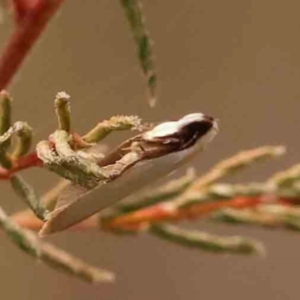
{"points": [[237, 60]]}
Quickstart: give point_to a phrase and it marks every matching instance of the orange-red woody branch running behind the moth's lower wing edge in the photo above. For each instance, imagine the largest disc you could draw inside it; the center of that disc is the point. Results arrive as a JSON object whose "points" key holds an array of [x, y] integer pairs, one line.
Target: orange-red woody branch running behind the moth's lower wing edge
{"points": [[157, 213]]}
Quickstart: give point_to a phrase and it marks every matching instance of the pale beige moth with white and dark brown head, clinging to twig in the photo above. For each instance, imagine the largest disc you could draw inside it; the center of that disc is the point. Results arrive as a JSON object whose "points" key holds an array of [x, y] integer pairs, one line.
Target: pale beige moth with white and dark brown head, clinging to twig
{"points": [[132, 165]]}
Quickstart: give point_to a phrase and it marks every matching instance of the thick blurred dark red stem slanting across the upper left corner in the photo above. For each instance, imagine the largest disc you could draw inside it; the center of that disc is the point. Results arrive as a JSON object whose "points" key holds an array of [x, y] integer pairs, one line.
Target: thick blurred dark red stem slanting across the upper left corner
{"points": [[27, 30]]}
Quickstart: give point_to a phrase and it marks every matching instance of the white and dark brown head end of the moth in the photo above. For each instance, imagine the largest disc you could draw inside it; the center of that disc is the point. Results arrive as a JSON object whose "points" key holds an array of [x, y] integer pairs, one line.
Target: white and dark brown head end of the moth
{"points": [[190, 130]]}
